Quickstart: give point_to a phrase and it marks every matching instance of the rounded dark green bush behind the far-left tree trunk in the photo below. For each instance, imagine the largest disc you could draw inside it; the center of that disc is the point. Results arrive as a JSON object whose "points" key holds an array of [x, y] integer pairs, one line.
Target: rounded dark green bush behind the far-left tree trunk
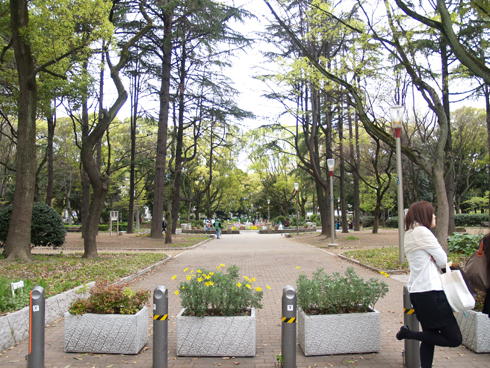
{"points": [[47, 228]]}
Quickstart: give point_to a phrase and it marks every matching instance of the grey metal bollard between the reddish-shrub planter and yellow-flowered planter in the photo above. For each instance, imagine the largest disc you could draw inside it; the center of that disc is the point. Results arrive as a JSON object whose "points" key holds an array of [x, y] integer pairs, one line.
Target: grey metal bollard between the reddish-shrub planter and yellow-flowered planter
{"points": [[160, 327]]}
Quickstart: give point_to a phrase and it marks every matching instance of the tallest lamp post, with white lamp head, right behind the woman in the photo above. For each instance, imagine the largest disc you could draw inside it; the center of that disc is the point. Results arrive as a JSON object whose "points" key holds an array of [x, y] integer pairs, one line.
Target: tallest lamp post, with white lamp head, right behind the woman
{"points": [[396, 119]]}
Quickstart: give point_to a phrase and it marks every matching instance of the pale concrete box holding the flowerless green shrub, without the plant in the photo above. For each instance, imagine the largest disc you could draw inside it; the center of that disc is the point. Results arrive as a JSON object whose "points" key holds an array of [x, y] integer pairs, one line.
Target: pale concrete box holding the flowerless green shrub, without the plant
{"points": [[348, 333]]}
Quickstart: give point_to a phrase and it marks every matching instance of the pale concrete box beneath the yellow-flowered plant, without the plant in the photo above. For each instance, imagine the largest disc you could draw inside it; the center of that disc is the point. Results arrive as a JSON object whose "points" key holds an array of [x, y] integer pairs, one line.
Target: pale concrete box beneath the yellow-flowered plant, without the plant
{"points": [[216, 336]]}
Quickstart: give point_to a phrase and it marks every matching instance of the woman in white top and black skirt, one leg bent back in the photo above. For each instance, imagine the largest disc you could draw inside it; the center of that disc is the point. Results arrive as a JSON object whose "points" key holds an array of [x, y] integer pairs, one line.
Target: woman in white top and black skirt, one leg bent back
{"points": [[425, 256]]}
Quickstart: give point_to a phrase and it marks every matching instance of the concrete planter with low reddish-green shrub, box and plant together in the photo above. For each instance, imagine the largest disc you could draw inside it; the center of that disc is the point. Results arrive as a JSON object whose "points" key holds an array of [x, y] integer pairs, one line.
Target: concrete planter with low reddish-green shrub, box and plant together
{"points": [[114, 320]]}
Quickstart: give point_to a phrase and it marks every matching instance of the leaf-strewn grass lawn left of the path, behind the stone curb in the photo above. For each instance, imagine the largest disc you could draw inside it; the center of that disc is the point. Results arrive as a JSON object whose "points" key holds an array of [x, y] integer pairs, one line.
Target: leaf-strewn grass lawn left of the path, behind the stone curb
{"points": [[61, 272]]}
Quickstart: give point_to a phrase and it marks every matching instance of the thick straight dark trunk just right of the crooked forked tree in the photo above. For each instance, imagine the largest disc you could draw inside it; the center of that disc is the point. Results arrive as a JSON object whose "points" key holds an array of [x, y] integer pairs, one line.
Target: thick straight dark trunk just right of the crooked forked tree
{"points": [[160, 162]]}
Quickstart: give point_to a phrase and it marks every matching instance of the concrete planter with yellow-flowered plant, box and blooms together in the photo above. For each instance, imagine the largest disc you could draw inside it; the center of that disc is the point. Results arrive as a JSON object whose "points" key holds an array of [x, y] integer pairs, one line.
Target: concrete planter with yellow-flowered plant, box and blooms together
{"points": [[218, 318]]}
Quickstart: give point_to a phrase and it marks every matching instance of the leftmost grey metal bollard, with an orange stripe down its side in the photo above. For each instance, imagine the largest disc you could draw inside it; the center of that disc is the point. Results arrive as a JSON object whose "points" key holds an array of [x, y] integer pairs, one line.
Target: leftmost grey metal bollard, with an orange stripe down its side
{"points": [[35, 358]]}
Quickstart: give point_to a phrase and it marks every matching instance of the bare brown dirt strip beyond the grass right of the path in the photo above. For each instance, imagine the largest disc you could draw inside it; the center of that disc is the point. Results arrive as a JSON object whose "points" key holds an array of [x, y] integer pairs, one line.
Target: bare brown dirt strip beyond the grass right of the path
{"points": [[366, 239]]}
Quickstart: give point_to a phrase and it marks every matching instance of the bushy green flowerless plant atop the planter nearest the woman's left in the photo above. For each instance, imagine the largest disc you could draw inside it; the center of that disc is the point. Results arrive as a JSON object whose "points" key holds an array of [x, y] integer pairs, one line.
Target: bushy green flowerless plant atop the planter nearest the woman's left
{"points": [[334, 294]]}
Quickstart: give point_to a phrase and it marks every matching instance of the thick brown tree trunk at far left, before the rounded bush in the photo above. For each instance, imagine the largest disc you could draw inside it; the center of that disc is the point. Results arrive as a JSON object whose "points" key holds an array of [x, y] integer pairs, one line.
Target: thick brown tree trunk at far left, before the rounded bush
{"points": [[18, 242]]}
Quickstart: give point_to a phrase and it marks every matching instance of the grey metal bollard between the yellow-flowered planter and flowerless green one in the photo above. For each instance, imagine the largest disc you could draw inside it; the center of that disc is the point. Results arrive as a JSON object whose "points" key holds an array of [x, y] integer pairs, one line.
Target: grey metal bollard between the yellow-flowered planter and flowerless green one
{"points": [[288, 329]]}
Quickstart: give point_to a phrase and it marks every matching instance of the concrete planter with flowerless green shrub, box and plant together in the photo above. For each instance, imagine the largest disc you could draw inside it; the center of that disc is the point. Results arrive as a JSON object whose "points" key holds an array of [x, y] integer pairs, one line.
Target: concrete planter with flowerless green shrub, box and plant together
{"points": [[336, 313]]}
